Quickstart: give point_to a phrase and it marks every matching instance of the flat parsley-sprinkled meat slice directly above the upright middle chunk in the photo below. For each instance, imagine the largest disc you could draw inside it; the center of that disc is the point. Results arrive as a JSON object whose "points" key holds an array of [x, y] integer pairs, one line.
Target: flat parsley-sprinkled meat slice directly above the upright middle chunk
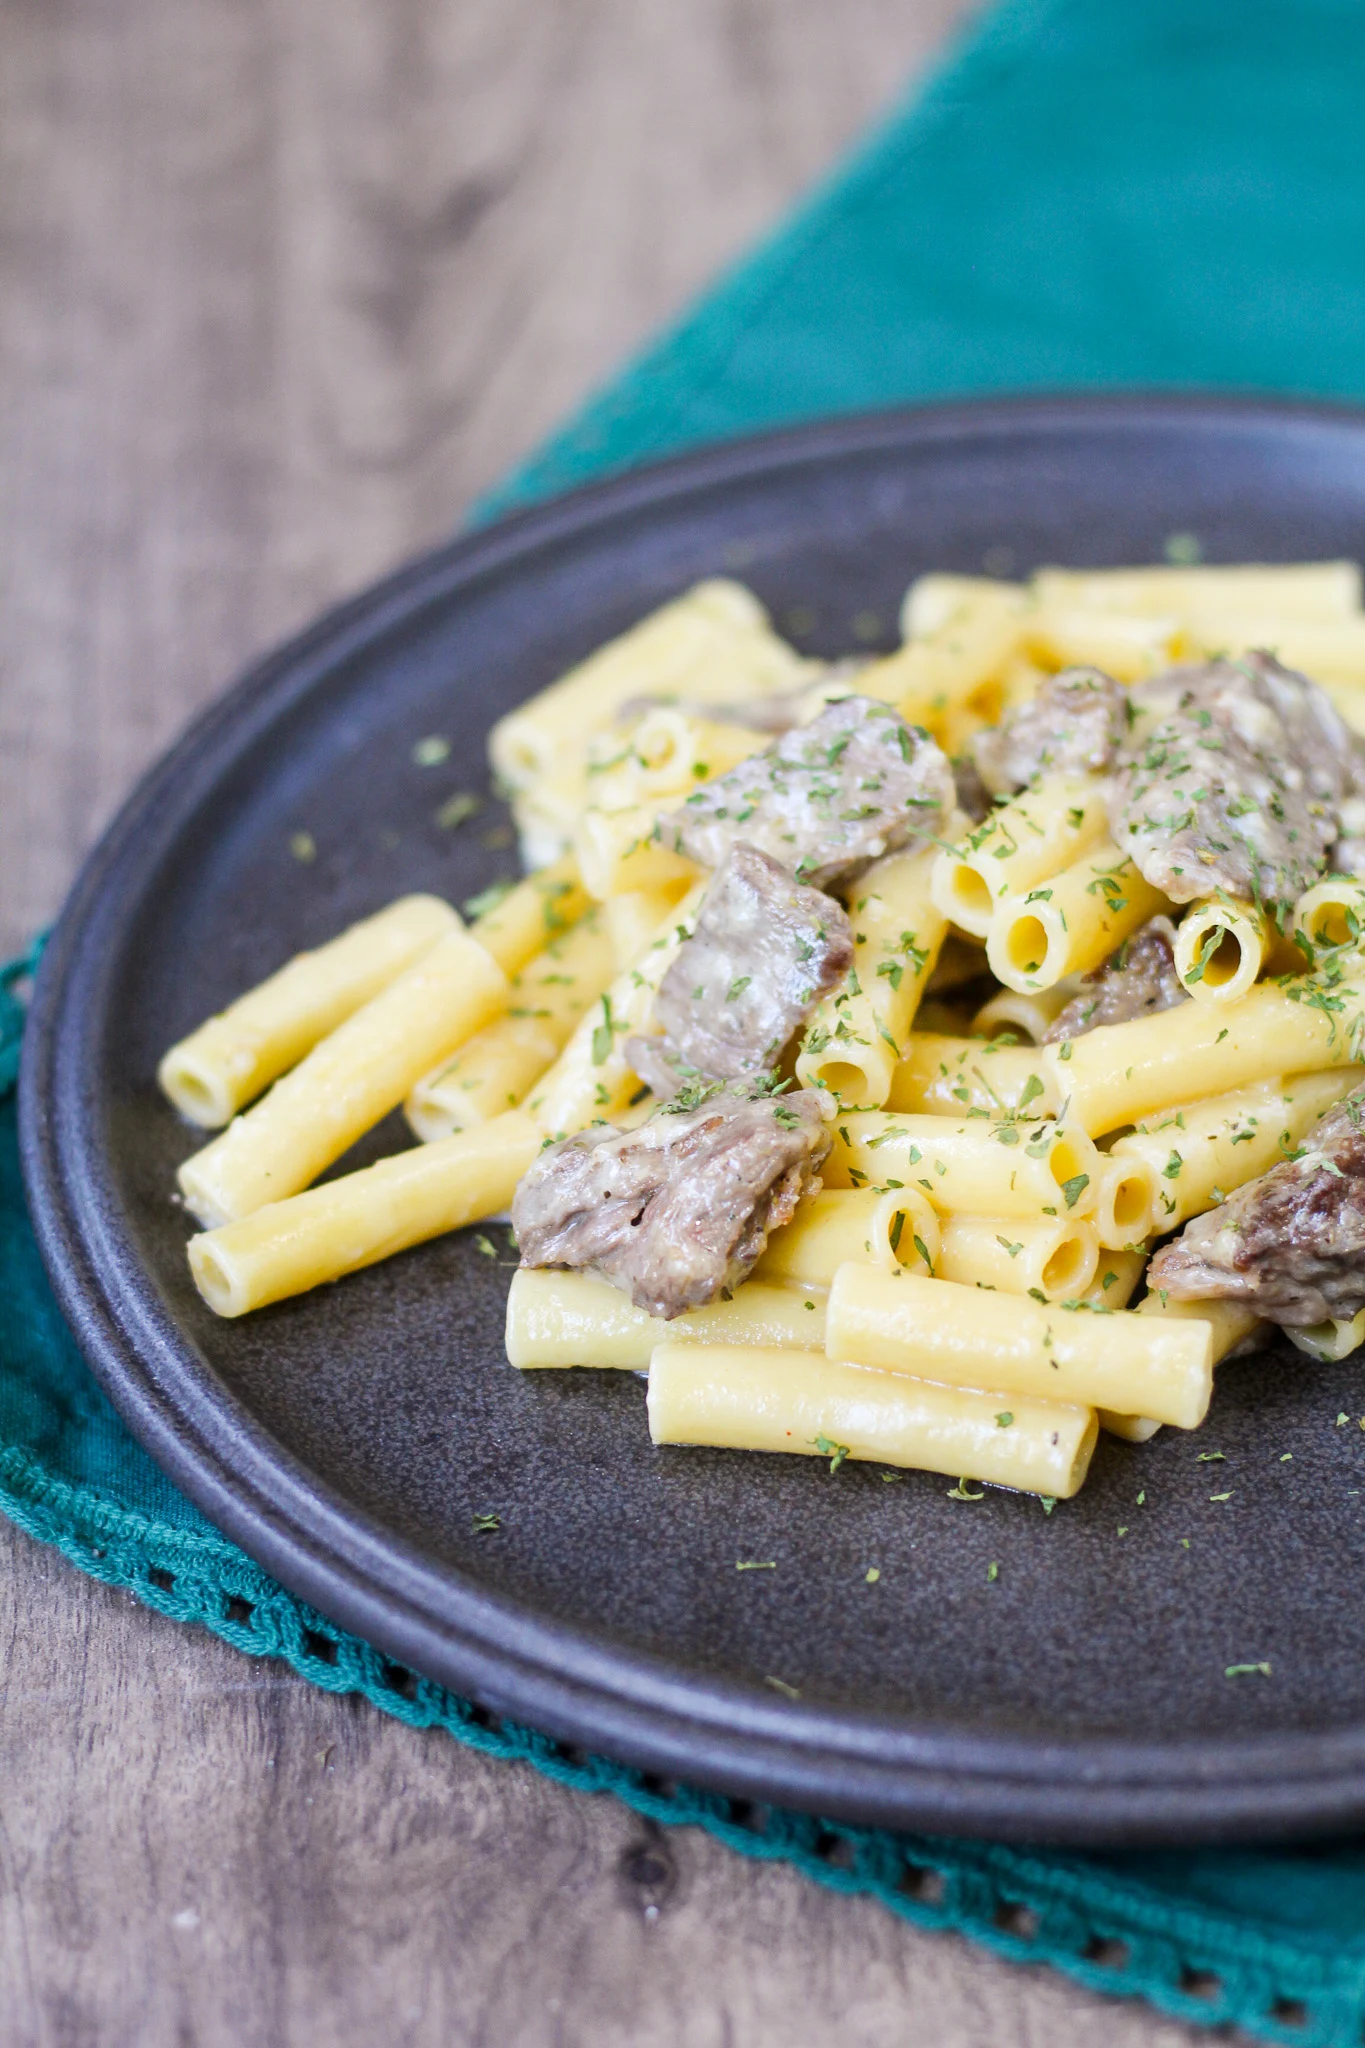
{"points": [[828, 800]]}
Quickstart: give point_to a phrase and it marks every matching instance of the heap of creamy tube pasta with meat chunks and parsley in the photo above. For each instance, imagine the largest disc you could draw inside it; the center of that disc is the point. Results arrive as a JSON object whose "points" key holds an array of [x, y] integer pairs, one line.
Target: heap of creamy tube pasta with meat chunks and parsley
{"points": [[871, 1125]]}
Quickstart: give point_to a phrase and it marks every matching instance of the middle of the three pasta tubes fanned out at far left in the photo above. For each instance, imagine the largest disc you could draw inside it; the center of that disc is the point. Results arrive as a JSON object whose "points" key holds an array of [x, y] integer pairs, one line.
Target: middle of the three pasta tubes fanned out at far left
{"points": [[347, 1084]]}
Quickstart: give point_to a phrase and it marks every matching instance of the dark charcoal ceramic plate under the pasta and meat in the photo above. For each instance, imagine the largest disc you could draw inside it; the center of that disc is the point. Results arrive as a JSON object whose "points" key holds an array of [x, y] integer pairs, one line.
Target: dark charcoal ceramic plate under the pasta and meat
{"points": [[349, 1439]]}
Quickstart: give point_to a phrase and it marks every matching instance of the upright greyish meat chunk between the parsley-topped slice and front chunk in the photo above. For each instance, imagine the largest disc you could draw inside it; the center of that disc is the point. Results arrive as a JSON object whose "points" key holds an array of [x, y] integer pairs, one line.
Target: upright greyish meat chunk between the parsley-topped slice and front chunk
{"points": [[764, 951]]}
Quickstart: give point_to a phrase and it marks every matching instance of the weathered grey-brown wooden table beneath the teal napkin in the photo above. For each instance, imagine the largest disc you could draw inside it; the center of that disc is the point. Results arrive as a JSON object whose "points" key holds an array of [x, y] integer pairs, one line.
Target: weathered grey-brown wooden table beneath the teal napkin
{"points": [[283, 286]]}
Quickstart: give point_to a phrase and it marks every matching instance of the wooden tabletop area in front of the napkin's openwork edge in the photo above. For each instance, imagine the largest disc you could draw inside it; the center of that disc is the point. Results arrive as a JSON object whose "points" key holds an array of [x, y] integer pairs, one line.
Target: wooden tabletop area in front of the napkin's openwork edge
{"points": [[197, 1846]]}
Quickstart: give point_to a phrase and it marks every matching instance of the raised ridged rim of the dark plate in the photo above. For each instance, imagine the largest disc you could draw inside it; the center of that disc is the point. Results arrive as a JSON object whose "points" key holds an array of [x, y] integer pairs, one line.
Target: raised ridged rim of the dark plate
{"points": [[891, 1770]]}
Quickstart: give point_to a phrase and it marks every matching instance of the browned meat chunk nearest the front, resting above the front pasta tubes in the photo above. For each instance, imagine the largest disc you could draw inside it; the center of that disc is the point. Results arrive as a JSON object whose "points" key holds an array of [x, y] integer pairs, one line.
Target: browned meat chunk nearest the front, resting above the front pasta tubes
{"points": [[680, 1209]]}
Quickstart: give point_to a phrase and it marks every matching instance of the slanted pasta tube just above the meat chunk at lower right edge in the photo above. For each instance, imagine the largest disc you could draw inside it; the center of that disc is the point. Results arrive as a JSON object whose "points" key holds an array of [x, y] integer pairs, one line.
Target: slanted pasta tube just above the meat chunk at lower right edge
{"points": [[1200, 1154]]}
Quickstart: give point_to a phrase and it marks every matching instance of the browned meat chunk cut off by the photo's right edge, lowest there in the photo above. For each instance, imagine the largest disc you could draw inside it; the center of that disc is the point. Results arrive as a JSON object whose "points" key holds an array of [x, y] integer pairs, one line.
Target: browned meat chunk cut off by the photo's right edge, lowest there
{"points": [[1292, 1244]]}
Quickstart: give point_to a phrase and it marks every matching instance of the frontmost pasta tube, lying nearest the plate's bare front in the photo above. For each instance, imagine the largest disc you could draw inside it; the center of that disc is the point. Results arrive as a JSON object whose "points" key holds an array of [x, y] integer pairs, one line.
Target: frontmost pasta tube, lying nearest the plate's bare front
{"points": [[799, 1402]]}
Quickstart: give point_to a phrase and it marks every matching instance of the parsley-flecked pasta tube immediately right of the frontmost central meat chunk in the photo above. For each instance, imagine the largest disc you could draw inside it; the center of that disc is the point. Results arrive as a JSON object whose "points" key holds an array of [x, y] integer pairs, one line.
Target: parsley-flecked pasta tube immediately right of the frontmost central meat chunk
{"points": [[975, 1168]]}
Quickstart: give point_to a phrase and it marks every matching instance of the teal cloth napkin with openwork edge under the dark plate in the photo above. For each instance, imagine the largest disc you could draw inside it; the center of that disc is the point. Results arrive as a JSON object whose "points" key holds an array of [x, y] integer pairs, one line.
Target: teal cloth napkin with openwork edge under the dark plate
{"points": [[1088, 194]]}
